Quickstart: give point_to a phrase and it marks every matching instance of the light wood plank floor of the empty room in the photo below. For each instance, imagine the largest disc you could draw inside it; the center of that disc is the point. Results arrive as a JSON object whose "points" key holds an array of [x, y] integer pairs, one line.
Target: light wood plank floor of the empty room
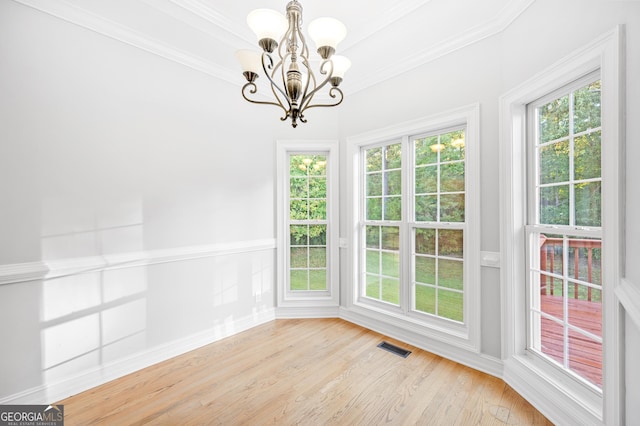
{"points": [[307, 372]]}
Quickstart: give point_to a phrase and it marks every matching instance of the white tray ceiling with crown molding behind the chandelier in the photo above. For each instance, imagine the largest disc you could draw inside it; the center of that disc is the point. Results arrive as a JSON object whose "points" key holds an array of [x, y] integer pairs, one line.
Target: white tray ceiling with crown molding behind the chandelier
{"points": [[384, 37]]}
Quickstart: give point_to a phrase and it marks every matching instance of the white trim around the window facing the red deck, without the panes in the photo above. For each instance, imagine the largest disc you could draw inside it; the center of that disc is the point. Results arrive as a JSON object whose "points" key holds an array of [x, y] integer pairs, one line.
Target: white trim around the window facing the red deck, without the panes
{"points": [[564, 400]]}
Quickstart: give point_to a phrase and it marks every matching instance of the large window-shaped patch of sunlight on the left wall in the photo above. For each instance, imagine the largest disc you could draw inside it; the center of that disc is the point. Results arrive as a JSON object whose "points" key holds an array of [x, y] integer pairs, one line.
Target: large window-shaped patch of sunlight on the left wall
{"points": [[93, 310]]}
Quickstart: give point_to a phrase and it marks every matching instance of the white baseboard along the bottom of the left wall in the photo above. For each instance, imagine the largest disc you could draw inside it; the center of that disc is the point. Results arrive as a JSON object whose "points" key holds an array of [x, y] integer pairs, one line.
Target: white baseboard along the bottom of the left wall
{"points": [[50, 393]]}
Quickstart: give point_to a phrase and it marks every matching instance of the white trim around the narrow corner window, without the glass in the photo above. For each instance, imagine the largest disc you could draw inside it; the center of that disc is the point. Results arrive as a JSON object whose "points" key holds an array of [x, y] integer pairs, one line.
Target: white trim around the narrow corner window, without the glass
{"points": [[308, 303]]}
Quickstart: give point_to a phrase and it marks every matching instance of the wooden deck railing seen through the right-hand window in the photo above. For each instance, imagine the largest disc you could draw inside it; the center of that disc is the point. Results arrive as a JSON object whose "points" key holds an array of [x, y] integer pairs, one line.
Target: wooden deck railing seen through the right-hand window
{"points": [[548, 263]]}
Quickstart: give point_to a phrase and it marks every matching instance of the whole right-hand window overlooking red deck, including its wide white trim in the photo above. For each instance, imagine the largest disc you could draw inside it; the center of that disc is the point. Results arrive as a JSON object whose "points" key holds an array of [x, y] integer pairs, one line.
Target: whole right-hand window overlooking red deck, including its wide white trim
{"points": [[561, 219]]}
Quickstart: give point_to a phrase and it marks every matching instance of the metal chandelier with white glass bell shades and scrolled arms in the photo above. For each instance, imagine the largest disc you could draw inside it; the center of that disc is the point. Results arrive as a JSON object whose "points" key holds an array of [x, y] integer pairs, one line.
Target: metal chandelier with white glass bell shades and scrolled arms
{"points": [[285, 61]]}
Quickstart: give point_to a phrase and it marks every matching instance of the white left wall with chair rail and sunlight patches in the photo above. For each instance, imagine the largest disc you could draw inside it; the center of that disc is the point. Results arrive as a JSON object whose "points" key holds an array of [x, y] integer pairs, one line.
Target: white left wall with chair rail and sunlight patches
{"points": [[141, 194]]}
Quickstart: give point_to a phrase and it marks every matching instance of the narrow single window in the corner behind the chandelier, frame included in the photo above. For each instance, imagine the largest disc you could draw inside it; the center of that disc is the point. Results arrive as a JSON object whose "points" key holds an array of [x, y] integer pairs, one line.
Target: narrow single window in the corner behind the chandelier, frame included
{"points": [[307, 225]]}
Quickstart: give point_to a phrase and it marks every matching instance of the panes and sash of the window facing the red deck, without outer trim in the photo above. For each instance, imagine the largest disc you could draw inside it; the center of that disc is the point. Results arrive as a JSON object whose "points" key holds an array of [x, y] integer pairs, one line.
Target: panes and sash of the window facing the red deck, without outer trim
{"points": [[564, 229]]}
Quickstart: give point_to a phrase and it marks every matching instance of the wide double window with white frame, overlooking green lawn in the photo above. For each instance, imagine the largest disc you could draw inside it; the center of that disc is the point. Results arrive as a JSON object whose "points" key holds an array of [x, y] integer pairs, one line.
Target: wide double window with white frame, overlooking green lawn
{"points": [[417, 226]]}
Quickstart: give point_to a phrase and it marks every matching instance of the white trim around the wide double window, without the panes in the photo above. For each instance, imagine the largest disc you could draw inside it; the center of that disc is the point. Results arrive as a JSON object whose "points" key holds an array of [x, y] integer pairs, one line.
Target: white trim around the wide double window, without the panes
{"points": [[466, 337]]}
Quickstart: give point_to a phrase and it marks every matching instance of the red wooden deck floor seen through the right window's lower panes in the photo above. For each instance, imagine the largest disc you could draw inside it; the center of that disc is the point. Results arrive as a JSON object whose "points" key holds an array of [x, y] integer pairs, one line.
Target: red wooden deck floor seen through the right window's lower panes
{"points": [[584, 354]]}
